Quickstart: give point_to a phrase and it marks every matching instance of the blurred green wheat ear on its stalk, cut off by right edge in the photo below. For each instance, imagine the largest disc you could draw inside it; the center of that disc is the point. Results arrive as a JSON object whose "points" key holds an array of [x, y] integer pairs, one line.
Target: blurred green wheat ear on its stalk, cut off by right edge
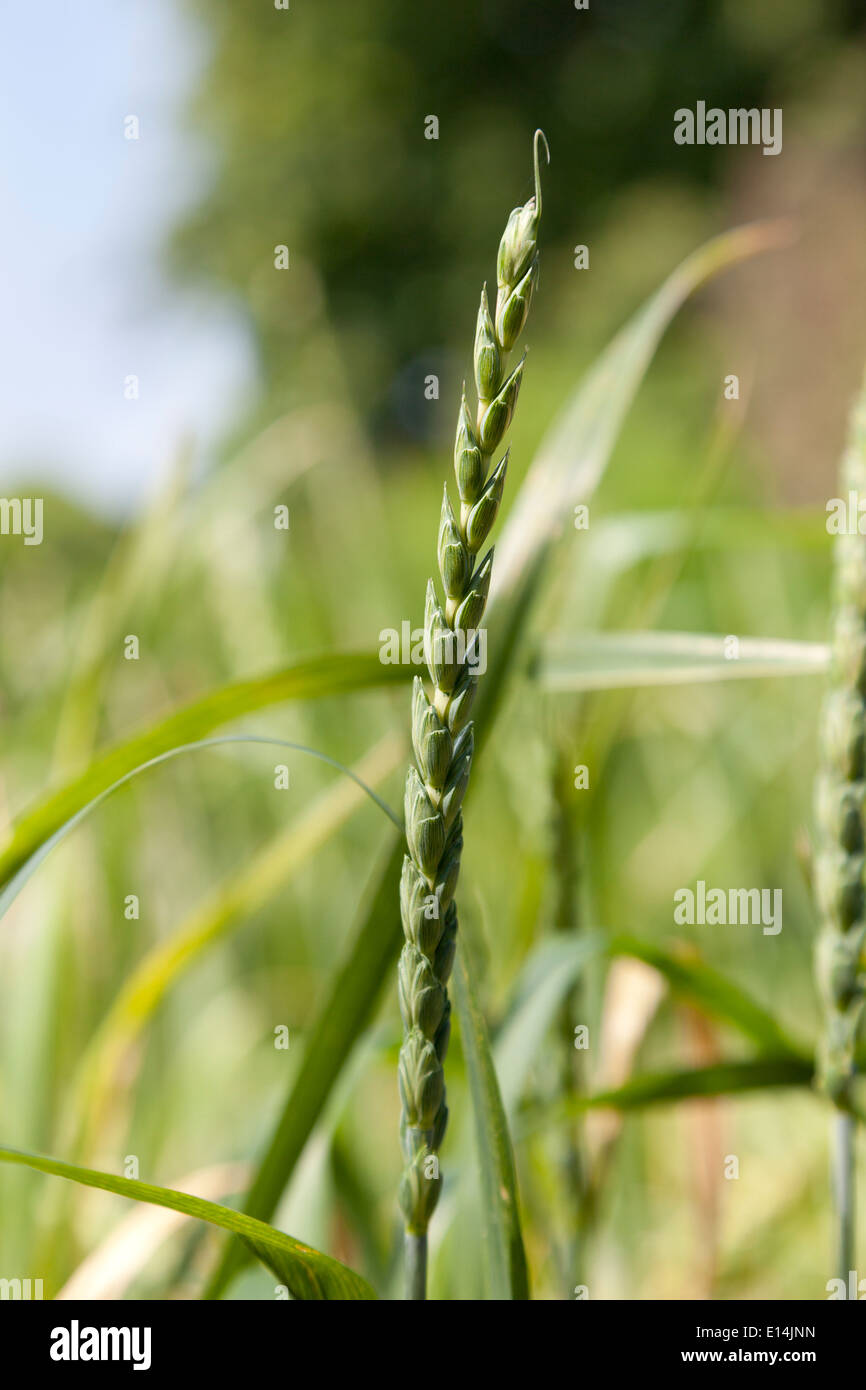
{"points": [[842, 840]]}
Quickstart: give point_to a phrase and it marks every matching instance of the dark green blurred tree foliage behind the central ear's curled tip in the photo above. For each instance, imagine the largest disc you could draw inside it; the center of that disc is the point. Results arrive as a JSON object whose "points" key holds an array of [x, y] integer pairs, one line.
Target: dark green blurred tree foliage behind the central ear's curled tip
{"points": [[319, 112]]}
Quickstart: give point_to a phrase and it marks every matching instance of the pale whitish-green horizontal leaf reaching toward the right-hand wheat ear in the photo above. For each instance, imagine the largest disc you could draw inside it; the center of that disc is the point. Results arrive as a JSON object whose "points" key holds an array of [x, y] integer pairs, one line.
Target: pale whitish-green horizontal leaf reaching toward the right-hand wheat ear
{"points": [[616, 661]]}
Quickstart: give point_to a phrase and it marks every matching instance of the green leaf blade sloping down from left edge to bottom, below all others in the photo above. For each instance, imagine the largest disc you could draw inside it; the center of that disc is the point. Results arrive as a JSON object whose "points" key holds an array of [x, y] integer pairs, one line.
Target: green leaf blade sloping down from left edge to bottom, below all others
{"points": [[307, 1274]]}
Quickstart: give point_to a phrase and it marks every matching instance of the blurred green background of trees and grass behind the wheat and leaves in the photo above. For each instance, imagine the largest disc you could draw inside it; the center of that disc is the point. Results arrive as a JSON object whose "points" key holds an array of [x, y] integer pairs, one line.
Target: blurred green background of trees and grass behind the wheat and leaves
{"points": [[711, 519]]}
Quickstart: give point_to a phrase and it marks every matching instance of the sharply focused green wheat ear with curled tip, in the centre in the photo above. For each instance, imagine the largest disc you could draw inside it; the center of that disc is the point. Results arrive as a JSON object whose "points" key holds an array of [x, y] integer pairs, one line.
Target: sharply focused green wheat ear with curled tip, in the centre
{"points": [[443, 733]]}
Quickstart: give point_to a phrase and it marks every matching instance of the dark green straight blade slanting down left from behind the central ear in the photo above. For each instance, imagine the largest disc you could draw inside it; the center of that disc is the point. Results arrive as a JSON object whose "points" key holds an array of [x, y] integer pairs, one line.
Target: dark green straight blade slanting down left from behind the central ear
{"points": [[338, 1025]]}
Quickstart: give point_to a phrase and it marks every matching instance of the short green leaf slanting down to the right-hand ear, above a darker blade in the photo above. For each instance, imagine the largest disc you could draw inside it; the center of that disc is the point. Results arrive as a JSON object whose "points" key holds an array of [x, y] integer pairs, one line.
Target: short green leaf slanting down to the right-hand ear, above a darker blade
{"points": [[714, 993]]}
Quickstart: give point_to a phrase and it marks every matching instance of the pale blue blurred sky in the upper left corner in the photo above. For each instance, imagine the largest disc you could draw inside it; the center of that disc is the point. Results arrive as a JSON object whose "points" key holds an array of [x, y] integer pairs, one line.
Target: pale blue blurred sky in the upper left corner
{"points": [[84, 301]]}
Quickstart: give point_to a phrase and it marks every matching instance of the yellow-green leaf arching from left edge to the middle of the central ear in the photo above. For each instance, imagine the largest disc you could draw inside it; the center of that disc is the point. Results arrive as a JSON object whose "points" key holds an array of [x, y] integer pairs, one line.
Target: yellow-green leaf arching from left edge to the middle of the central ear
{"points": [[307, 680]]}
